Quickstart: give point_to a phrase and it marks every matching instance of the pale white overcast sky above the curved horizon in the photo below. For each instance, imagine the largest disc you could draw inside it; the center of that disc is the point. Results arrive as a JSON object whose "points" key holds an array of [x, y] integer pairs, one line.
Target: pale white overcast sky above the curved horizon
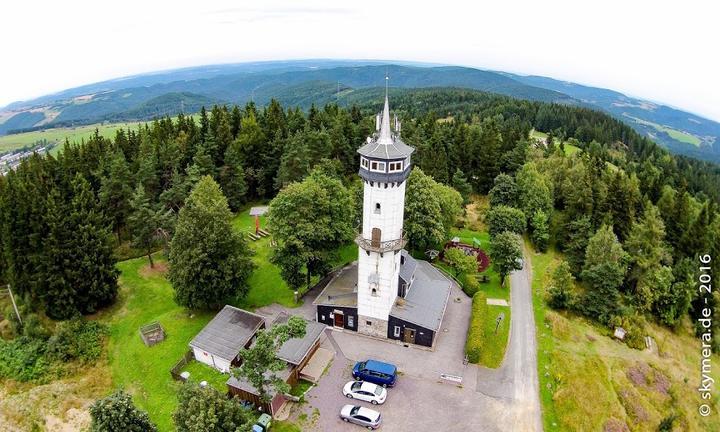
{"points": [[663, 51]]}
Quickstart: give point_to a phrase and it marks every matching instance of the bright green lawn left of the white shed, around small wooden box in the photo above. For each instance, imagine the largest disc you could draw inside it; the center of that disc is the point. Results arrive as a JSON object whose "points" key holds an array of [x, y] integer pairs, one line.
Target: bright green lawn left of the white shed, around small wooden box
{"points": [[146, 296]]}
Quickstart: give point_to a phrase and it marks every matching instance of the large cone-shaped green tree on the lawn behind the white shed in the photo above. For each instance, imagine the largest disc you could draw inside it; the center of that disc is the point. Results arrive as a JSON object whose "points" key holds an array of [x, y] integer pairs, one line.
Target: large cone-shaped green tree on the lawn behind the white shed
{"points": [[209, 260]]}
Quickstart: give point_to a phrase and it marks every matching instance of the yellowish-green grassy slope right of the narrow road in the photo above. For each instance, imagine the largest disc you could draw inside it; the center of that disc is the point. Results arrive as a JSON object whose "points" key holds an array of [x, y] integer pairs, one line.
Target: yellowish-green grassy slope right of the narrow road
{"points": [[589, 381]]}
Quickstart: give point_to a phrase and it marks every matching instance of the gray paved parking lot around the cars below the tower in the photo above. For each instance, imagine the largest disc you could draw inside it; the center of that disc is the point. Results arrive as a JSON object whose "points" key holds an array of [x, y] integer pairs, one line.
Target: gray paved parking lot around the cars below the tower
{"points": [[421, 400]]}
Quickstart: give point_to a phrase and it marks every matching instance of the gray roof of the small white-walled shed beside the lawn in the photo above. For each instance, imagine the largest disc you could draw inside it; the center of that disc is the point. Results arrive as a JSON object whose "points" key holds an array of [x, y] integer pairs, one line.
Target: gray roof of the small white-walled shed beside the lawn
{"points": [[228, 332]]}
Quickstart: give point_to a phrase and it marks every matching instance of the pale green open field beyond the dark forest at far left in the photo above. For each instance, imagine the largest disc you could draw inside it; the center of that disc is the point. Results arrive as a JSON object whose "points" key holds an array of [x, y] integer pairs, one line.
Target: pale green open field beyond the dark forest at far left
{"points": [[58, 135]]}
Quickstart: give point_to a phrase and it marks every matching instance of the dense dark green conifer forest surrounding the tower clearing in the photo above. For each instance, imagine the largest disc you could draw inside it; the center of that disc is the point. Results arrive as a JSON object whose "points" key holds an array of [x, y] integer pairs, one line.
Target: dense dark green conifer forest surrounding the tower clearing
{"points": [[630, 217]]}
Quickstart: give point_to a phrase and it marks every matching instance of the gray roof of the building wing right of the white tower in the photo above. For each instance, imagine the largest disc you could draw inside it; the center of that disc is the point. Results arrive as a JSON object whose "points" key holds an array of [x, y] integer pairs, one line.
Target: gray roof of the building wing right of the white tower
{"points": [[425, 303]]}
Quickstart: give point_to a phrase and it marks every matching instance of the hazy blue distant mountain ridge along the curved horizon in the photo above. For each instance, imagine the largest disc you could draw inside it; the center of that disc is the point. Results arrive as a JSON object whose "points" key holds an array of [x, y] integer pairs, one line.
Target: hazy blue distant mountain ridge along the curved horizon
{"points": [[305, 82]]}
